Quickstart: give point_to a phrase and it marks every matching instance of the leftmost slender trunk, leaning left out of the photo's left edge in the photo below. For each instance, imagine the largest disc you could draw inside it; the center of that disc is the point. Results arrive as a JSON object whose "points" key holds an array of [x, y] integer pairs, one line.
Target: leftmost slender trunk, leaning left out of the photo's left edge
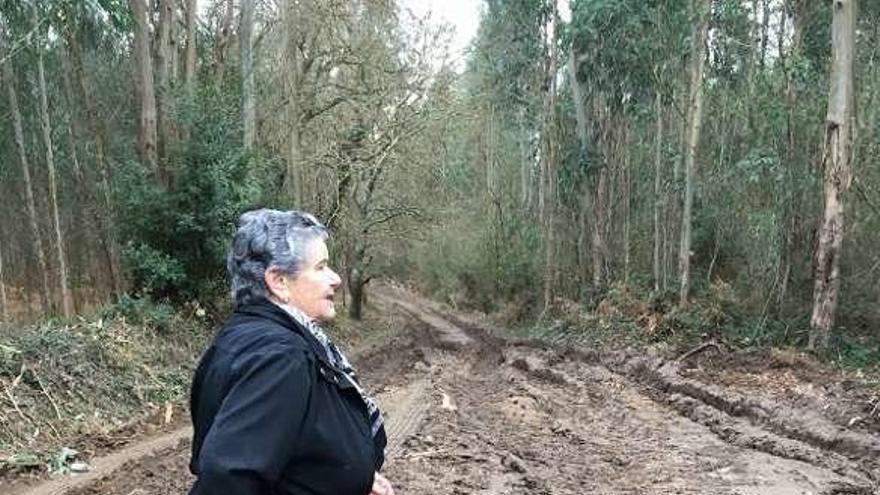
{"points": [[9, 76]]}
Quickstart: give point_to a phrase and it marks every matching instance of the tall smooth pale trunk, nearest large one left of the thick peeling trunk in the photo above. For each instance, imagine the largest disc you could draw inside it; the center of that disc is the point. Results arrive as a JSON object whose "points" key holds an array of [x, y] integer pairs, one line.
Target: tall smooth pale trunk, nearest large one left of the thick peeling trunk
{"points": [[695, 118]]}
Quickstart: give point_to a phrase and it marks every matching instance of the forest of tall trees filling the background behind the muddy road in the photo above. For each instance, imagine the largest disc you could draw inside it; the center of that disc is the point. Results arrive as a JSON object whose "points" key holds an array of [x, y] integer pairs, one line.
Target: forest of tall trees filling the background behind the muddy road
{"points": [[685, 168]]}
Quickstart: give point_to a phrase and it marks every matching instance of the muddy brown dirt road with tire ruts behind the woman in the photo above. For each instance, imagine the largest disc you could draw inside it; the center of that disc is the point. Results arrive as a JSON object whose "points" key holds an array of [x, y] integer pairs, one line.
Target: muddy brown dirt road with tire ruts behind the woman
{"points": [[470, 413]]}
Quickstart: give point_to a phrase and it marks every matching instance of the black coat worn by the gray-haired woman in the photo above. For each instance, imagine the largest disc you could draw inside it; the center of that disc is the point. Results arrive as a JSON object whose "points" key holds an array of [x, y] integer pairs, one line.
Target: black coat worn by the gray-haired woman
{"points": [[273, 416]]}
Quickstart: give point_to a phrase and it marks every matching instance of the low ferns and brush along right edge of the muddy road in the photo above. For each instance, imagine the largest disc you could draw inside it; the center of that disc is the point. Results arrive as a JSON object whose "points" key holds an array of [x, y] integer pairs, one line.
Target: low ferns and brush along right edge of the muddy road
{"points": [[625, 316]]}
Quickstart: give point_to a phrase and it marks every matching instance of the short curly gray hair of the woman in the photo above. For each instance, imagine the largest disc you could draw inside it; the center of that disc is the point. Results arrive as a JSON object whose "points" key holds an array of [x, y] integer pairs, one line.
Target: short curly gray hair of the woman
{"points": [[268, 239]]}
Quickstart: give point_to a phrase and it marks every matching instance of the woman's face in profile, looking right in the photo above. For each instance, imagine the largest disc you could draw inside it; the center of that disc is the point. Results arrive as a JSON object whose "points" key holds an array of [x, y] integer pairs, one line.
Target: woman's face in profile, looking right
{"points": [[313, 288]]}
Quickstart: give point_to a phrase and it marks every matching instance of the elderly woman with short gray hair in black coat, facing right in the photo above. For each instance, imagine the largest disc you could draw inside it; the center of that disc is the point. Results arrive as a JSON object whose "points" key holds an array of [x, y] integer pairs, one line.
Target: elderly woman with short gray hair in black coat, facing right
{"points": [[276, 406]]}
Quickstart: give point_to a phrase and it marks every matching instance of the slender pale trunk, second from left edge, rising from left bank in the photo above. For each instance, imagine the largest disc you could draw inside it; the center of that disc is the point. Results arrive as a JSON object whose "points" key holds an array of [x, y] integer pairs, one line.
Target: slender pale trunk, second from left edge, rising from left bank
{"points": [[66, 297]]}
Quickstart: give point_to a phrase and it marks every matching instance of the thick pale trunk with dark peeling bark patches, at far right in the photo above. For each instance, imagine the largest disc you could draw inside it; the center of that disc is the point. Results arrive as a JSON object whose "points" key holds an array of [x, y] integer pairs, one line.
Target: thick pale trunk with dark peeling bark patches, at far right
{"points": [[837, 165]]}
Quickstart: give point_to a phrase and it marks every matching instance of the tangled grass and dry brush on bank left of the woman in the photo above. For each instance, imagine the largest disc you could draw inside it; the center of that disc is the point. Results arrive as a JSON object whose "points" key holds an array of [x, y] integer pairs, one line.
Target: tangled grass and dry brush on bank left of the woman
{"points": [[63, 379]]}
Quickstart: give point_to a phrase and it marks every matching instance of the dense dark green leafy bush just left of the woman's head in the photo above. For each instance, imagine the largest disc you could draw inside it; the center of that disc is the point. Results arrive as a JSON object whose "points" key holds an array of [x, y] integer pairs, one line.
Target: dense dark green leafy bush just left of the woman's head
{"points": [[176, 235]]}
